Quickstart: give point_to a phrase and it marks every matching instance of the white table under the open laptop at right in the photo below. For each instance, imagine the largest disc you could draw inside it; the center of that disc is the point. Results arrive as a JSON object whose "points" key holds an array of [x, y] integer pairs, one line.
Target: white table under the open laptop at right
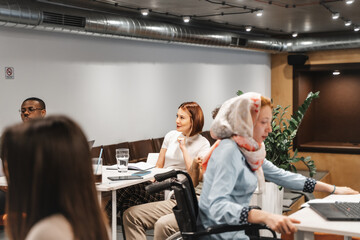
{"points": [[312, 222]]}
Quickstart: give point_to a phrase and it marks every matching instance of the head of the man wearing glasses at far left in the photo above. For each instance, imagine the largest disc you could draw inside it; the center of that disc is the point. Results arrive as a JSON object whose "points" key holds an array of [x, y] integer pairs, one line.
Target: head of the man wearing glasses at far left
{"points": [[32, 108]]}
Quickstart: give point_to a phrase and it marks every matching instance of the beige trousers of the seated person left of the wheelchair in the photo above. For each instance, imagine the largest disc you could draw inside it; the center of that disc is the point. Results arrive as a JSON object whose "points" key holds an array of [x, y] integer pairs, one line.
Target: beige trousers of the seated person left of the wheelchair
{"points": [[156, 215]]}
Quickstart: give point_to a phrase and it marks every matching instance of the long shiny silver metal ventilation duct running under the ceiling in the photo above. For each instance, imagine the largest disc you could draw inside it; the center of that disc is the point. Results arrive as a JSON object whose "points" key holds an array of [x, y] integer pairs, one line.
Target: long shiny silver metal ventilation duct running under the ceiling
{"points": [[38, 15]]}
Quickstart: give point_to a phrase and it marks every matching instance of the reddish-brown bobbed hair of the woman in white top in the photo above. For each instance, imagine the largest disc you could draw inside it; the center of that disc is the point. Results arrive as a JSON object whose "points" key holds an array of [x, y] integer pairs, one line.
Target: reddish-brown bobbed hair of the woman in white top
{"points": [[196, 115]]}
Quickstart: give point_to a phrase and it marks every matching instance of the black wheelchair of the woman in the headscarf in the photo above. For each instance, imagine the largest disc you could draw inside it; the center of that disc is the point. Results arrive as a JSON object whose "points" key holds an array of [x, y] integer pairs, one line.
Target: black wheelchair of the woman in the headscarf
{"points": [[187, 208]]}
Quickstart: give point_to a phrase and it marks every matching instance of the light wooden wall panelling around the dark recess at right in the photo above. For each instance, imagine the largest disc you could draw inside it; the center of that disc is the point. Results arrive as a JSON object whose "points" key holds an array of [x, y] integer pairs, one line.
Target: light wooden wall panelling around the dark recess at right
{"points": [[344, 168]]}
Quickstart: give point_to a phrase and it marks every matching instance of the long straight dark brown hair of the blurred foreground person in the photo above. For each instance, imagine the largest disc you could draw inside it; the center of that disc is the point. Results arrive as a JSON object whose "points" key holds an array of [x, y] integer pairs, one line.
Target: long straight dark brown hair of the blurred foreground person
{"points": [[48, 168]]}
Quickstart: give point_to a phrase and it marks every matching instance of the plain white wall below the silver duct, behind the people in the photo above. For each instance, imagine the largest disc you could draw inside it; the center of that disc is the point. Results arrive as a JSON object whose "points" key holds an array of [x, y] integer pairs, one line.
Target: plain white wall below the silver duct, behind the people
{"points": [[117, 89]]}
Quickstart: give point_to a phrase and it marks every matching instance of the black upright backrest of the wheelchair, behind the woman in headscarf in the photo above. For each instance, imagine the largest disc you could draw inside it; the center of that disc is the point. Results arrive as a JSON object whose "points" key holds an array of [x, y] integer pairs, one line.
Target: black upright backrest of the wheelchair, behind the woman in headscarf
{"points": [[186, 210]]}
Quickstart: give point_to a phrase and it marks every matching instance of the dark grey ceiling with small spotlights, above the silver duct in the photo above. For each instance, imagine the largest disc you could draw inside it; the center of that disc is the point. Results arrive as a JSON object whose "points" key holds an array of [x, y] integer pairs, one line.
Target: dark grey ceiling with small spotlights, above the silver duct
{"points": [[280, 18]]}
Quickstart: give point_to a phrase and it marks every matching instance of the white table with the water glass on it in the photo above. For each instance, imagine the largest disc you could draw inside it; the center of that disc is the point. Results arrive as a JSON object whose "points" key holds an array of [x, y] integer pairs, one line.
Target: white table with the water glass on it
{"points": [[108, 185]]}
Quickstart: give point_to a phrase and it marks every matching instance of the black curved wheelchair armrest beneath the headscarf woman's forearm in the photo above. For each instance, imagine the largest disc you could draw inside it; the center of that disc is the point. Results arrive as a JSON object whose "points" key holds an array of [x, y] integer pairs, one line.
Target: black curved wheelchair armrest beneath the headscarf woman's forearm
{"points": [[227, 228]]}
